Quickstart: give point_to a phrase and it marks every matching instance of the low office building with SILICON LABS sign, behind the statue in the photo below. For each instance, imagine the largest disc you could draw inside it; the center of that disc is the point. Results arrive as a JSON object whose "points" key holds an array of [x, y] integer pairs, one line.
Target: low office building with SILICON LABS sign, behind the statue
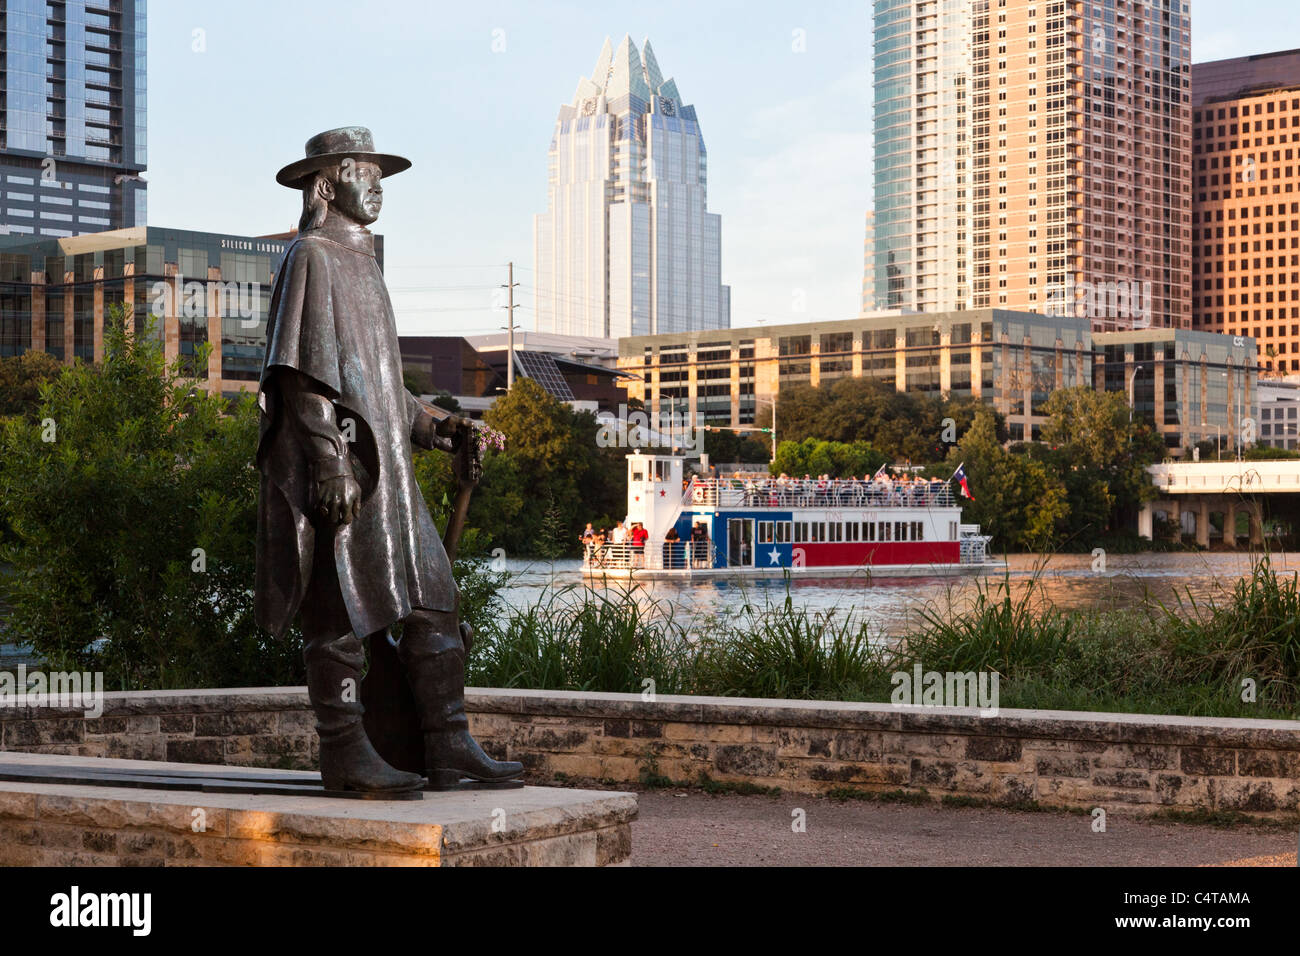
{"points": [[181, 287]]}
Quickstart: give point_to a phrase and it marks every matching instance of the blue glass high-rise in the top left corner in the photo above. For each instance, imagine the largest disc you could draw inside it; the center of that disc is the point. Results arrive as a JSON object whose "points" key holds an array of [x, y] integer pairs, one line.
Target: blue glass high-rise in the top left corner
{"points": [[72, 116]]}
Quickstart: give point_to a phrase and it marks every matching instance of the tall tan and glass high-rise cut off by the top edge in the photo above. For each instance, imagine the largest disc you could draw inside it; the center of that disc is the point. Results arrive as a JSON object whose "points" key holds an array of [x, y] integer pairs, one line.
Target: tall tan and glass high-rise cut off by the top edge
{"points": [[1035, 155]]}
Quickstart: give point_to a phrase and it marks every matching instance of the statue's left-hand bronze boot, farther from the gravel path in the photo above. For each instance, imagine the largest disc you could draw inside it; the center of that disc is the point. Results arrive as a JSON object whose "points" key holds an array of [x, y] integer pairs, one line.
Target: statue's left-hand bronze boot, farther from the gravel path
{"points": [[348, 759]]}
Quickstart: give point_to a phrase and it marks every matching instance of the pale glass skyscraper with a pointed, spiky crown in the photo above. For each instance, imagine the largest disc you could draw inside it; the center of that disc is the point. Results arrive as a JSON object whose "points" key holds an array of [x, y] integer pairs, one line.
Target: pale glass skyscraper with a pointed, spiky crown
{"points": [[627, 246]]}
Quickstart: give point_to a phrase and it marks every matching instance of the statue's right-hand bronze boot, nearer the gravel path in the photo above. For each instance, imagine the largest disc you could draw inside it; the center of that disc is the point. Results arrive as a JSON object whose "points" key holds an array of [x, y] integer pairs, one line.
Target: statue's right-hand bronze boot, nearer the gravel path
{"points": [[434, 657]]}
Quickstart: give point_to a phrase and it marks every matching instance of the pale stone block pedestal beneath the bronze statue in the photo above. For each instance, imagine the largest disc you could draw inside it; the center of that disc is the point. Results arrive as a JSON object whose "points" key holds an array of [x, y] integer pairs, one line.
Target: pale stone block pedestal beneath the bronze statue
{"points": [[63, 825]]}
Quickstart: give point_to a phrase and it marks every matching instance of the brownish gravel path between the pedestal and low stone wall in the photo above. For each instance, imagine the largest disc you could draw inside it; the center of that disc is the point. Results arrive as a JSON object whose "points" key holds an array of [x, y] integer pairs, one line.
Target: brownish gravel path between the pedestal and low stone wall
{"points": [[695, 829]]}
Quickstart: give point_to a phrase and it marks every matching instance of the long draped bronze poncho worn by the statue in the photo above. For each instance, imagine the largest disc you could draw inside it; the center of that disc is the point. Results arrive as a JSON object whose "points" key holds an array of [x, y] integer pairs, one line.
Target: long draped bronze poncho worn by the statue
{"points": [[331, 319]]}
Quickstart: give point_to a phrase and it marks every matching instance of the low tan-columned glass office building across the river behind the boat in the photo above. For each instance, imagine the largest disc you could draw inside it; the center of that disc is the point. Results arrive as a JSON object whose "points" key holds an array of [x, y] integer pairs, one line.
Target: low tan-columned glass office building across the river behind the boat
{"points": [[1188, 383]]}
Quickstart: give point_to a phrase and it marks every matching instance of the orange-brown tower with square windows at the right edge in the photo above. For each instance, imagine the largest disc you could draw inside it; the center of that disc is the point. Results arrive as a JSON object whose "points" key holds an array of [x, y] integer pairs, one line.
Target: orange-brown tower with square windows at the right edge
{"points": [[1246, 231]]}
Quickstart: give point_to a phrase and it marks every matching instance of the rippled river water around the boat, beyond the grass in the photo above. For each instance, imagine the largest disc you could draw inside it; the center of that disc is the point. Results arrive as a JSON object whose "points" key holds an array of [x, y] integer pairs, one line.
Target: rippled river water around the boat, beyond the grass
{"points": [[894, 605]]}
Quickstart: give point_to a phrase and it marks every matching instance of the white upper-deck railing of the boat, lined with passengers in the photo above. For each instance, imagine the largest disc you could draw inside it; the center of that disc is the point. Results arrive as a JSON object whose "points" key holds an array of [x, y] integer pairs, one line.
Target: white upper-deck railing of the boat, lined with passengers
{"points": [[820, 494]]}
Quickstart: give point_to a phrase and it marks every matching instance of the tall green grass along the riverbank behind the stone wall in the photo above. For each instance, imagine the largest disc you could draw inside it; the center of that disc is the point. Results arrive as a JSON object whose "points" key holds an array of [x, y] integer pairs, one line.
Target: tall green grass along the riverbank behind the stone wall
{"points": [[1184, 659]]}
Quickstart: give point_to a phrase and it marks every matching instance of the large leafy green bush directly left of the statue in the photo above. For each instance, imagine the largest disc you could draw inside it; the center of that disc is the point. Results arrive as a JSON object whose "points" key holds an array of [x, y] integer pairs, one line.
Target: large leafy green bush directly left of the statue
{"points": [[133, 518]]}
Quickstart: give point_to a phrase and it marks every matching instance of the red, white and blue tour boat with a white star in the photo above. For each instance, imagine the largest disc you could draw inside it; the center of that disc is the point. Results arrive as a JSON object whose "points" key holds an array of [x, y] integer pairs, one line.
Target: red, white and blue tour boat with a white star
{"points": [[760, 526]]}
